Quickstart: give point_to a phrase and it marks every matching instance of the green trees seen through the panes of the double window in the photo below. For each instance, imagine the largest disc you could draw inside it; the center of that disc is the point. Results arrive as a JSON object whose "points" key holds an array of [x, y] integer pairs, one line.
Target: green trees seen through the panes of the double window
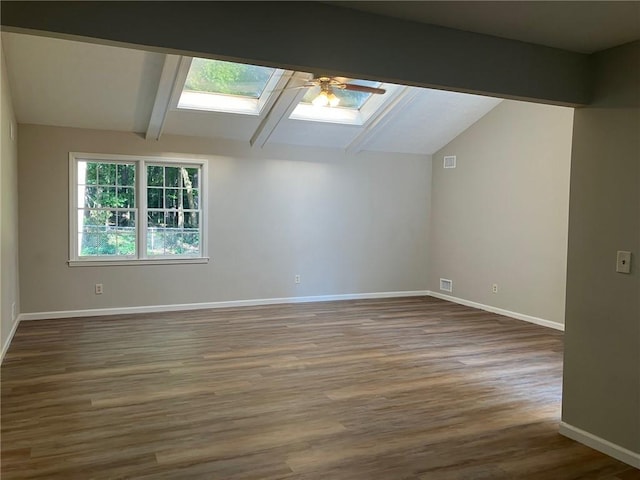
{"points": [[108, 225]]}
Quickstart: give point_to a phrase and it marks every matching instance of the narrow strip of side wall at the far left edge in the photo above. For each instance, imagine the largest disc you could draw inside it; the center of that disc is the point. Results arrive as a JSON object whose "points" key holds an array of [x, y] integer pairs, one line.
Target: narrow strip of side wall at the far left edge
{"points": [[9, 292]]}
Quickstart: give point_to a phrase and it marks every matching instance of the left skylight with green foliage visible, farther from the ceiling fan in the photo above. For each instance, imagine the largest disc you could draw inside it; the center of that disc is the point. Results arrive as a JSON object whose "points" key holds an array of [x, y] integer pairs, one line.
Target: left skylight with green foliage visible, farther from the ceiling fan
{"points": [[220, 86]]}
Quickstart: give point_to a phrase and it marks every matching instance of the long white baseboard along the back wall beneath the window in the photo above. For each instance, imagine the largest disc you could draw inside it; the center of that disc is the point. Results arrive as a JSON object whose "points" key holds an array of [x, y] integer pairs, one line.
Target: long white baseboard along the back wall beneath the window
{"points": [[224, 304]]}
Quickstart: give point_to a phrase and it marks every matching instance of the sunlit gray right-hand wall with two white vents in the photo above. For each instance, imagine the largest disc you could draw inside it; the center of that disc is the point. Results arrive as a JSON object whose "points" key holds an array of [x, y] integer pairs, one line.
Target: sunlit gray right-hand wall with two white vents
{"points": [[501, 215]]}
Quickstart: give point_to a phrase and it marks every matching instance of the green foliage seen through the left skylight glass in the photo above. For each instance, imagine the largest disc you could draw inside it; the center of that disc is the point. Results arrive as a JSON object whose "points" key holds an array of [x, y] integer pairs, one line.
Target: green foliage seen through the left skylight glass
{"points": [[228, 78]]}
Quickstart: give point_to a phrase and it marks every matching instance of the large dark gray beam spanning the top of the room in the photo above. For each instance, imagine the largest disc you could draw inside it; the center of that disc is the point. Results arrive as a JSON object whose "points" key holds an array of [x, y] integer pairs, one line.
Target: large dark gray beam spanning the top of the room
{"points": [[338, 41]]}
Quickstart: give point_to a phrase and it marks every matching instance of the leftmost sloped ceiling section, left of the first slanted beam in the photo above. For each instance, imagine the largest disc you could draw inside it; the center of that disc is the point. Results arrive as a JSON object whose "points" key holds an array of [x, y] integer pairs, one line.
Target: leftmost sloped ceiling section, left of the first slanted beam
{"points": [[74, 84]]}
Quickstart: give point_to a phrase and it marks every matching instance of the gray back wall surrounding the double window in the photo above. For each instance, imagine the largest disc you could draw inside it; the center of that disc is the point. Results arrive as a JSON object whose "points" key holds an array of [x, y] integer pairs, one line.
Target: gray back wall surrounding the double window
{"points": [[345, 223]]}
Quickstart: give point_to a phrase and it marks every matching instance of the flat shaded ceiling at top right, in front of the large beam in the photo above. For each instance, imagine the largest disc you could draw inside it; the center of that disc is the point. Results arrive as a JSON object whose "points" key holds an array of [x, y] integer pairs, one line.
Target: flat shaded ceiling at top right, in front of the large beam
{"points": [[579, 26]]}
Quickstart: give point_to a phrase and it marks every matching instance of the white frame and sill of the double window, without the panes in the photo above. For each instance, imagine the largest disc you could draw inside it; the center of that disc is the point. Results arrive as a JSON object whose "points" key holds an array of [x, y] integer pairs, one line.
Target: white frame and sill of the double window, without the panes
{"points": [[140, 208]]}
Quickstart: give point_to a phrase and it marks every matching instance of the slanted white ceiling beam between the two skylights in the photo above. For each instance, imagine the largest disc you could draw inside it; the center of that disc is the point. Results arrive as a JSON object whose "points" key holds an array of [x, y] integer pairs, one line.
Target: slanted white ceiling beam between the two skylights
{"points": [[284, 104]]}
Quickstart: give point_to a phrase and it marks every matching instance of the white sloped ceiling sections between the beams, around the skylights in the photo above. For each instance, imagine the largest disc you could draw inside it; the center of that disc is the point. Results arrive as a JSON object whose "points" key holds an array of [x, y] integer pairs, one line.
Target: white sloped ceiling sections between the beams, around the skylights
{"points": [[84, 85]]}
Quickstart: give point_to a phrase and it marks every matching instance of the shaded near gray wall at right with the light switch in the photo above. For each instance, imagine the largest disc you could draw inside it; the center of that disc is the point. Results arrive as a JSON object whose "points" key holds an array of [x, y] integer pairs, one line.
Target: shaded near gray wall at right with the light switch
{"points": [[602, 341]]}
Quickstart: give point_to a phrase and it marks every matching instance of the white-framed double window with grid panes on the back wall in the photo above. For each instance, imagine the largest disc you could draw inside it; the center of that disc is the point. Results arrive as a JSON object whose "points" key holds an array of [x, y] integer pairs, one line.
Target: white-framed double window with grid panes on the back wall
{"points": [[134, 209]]}
